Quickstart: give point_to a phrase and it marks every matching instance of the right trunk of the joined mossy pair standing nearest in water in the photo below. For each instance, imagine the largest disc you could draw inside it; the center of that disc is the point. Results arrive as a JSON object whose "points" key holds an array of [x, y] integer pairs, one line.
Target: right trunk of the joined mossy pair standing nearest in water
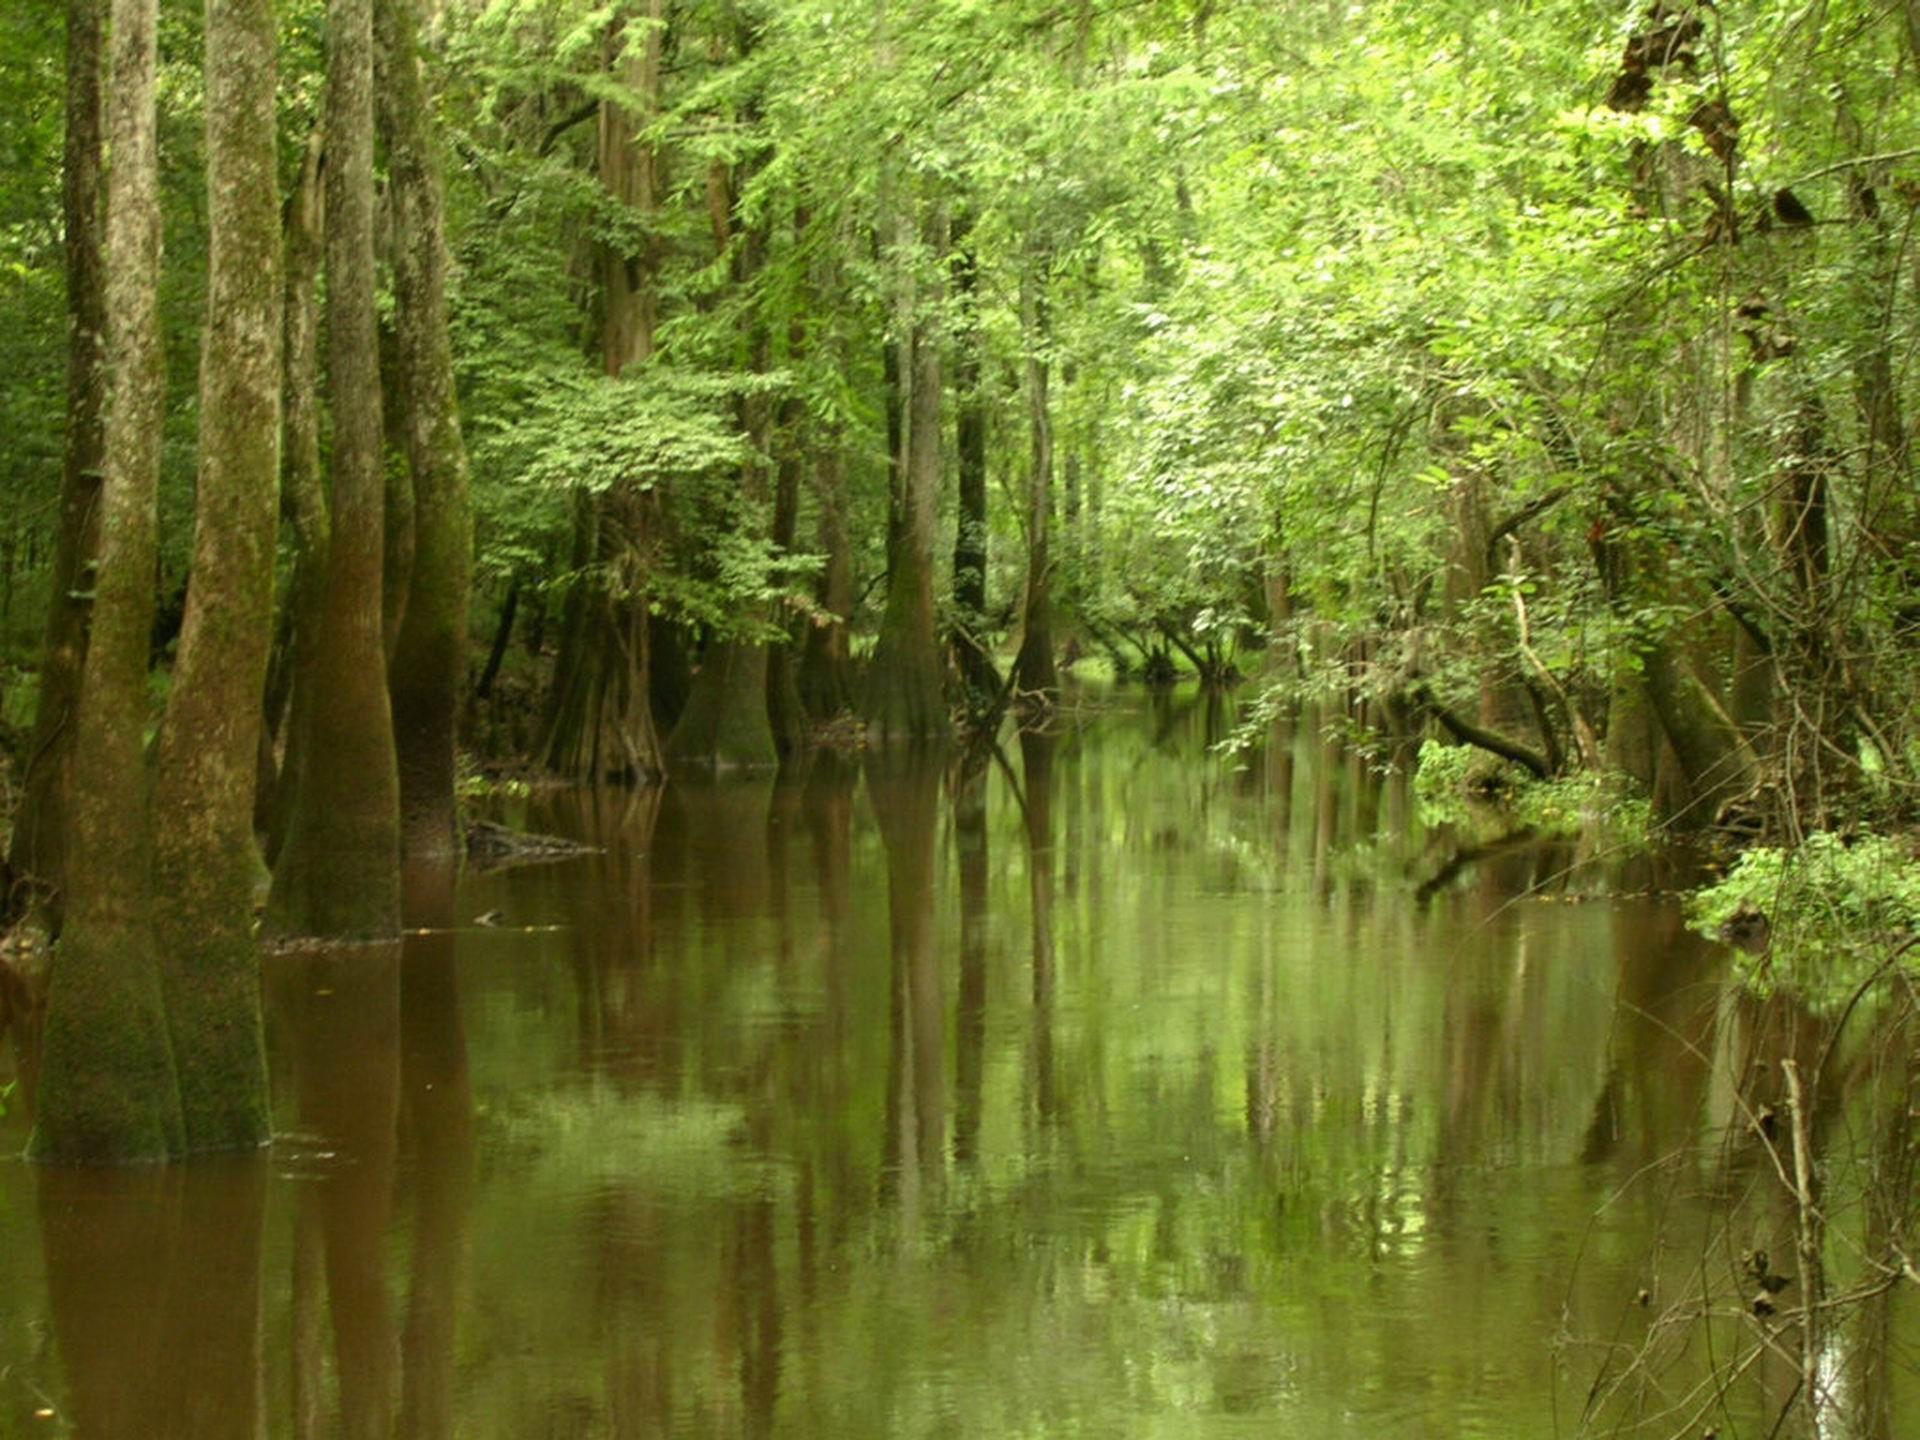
{"points": [[204, 857]]}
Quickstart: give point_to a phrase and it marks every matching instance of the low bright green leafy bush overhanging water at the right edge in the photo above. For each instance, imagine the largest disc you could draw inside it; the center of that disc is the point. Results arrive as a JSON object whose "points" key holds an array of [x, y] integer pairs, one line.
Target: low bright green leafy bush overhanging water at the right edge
{"points": [[1819, 919]]}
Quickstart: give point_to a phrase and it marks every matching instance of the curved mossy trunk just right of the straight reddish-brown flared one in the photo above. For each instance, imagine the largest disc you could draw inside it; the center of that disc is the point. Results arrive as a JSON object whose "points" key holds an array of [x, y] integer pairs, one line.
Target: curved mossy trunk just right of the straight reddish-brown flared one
{"points": [[431, 652]]}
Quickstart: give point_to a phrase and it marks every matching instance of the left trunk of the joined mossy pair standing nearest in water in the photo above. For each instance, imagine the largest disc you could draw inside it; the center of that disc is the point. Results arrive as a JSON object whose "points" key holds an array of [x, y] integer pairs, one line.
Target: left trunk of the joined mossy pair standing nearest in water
{"points": [[108, 1092]]}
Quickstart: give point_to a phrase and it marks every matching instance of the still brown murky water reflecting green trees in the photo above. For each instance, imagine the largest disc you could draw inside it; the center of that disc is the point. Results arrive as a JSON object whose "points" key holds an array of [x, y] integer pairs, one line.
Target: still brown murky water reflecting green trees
{"points": [[1107, 1092]]}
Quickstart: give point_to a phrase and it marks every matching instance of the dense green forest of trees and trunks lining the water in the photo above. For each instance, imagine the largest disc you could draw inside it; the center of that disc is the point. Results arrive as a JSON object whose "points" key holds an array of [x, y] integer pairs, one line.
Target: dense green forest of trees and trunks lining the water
{"points": [[406, 395]]}
